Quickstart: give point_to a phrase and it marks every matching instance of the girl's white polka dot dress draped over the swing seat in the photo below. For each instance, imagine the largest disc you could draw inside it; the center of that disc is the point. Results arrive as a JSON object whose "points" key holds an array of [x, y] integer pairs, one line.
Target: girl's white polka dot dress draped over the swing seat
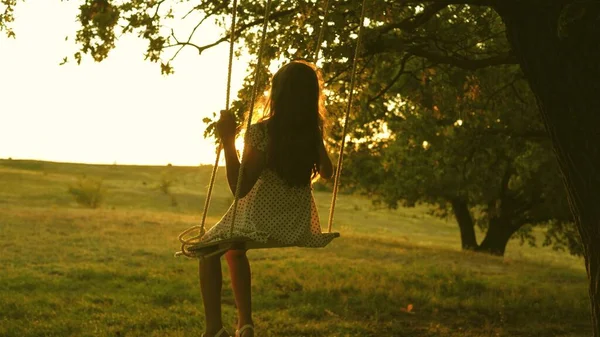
{"points": [[272, 210]]}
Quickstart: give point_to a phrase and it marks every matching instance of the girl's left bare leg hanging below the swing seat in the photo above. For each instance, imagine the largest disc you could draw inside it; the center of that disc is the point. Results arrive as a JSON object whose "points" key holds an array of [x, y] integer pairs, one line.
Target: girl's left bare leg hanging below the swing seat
{"points": [[211, 281]]}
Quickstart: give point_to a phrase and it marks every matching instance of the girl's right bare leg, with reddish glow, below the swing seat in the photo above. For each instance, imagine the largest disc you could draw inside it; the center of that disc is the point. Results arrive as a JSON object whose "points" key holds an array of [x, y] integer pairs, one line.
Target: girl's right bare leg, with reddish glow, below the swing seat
{"points": [[239, 267]]}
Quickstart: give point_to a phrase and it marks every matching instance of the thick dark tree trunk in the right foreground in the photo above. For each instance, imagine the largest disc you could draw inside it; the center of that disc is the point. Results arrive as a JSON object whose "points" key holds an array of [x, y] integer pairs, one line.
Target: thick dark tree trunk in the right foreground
{"points": [[557, 44]]}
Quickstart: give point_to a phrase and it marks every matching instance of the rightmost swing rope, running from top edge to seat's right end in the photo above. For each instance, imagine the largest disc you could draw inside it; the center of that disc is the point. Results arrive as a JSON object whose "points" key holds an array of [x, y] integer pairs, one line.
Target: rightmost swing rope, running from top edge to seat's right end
{"points": [[338, 170]]}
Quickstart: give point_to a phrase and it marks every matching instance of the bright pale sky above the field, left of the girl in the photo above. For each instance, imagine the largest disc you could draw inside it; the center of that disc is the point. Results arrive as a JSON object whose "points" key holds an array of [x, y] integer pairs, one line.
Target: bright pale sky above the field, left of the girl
{"points": [[121, 110]]}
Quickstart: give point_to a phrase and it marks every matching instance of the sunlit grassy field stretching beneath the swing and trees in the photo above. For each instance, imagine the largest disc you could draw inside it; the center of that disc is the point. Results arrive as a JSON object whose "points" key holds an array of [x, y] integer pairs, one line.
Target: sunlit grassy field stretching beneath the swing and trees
{"points": [[67, 270]]}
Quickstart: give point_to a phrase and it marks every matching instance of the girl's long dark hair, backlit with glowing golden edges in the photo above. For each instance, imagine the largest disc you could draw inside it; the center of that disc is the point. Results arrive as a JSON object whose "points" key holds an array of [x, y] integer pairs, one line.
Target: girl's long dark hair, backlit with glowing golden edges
{"points": [[295, 122]]}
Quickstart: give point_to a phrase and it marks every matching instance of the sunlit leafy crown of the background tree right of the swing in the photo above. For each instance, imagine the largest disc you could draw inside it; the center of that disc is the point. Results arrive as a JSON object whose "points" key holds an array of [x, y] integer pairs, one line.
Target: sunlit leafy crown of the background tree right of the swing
{"points": [[473, 143]]}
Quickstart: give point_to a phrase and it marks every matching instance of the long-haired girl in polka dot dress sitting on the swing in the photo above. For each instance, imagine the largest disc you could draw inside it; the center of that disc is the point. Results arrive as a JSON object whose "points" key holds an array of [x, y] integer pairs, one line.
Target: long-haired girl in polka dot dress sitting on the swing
{"points": [[282, 155]]}
